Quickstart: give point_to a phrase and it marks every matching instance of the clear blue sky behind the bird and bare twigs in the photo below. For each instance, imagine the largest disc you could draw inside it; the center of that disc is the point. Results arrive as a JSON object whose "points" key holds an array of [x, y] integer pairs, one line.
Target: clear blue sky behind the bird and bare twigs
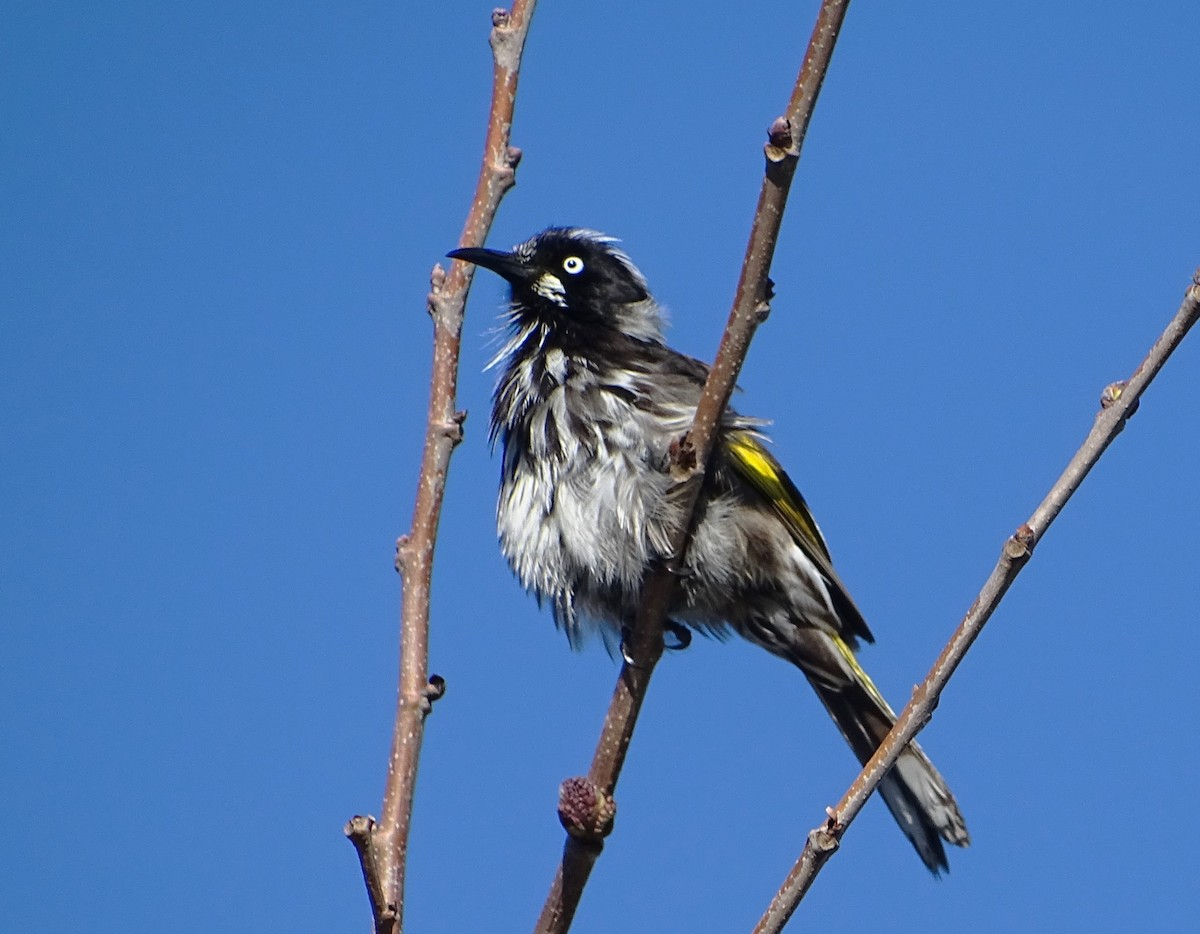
{"points": [[219, 223]]}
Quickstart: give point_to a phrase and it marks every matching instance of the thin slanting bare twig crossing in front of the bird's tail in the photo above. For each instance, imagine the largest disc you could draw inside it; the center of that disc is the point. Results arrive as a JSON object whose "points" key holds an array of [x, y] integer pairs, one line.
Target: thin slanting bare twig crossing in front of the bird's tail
{"points": [[1118, 404]]}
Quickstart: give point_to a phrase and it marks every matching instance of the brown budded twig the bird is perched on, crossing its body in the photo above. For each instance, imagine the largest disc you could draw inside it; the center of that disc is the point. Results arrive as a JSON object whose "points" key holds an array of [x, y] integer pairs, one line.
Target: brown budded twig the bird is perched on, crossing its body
{"points": [[751, 306]]}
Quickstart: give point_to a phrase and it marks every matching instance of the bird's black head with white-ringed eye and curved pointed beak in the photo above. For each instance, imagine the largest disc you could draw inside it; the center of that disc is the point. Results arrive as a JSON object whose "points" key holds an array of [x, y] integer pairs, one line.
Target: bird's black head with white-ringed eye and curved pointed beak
{"points": [[569, 279]]}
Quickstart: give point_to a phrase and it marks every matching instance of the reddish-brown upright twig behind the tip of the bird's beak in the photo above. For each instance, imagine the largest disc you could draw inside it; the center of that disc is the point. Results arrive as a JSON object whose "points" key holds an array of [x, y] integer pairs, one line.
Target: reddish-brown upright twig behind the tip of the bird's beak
{"points": [[383, 846]]}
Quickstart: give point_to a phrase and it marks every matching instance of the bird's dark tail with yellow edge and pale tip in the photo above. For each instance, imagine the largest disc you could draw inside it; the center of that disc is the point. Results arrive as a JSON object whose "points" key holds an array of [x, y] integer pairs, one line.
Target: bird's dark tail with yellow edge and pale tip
{"points": [[914, 791]]}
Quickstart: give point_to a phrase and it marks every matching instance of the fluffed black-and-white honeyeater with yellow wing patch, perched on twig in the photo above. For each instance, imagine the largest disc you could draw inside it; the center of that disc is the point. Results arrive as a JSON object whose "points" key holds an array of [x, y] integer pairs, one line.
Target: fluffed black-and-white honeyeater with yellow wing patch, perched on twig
{"points": [[589, 403]]}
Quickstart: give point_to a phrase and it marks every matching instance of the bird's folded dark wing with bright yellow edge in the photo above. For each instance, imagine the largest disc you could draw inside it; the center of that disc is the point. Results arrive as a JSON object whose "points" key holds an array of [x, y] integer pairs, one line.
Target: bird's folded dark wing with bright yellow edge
{"points": [[752, 460]]}
